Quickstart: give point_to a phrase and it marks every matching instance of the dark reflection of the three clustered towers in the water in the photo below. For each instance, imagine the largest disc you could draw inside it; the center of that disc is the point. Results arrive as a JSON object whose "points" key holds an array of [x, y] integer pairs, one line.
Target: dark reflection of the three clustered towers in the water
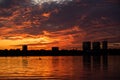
{"points": [[95, 62]]}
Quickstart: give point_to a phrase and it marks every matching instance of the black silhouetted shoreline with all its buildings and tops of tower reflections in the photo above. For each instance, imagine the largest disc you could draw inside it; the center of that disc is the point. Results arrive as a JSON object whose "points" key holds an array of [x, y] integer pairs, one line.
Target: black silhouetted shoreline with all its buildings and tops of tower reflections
{"points": [[95, 49]]}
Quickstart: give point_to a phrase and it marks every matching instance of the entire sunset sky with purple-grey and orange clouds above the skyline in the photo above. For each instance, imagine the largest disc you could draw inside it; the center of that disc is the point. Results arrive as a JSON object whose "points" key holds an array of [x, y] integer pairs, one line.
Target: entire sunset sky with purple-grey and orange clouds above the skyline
{"points": [[42, 24]]}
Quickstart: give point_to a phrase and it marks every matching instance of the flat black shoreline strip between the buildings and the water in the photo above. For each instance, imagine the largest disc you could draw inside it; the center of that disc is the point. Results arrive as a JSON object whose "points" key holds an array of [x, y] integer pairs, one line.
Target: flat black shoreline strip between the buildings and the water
{"points": [[12, 53]]}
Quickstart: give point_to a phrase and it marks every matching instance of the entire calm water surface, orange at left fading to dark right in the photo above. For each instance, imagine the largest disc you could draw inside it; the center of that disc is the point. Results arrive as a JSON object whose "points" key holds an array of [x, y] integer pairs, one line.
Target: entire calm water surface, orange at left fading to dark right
{"points": [[61, 68]]}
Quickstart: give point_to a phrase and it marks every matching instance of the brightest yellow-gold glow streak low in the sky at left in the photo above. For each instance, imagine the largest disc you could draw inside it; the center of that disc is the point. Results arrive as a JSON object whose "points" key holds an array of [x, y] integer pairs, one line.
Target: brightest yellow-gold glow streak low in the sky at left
{"points": [[13, 44]]}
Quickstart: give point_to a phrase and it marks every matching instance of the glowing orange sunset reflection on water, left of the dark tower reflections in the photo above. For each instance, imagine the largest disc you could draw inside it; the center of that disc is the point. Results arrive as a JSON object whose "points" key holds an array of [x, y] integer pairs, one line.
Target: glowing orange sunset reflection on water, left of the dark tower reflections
{"points": [[38, 66]]}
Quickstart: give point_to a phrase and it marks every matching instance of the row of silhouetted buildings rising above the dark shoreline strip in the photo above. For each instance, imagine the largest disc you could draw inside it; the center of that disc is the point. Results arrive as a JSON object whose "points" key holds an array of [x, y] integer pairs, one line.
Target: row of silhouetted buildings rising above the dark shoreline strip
{"points": [[86, 46]]}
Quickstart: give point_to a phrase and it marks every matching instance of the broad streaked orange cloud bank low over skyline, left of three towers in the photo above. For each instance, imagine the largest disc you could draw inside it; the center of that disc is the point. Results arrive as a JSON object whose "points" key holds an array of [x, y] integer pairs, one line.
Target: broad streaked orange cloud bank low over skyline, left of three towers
{"points": [[65, 39]]}
